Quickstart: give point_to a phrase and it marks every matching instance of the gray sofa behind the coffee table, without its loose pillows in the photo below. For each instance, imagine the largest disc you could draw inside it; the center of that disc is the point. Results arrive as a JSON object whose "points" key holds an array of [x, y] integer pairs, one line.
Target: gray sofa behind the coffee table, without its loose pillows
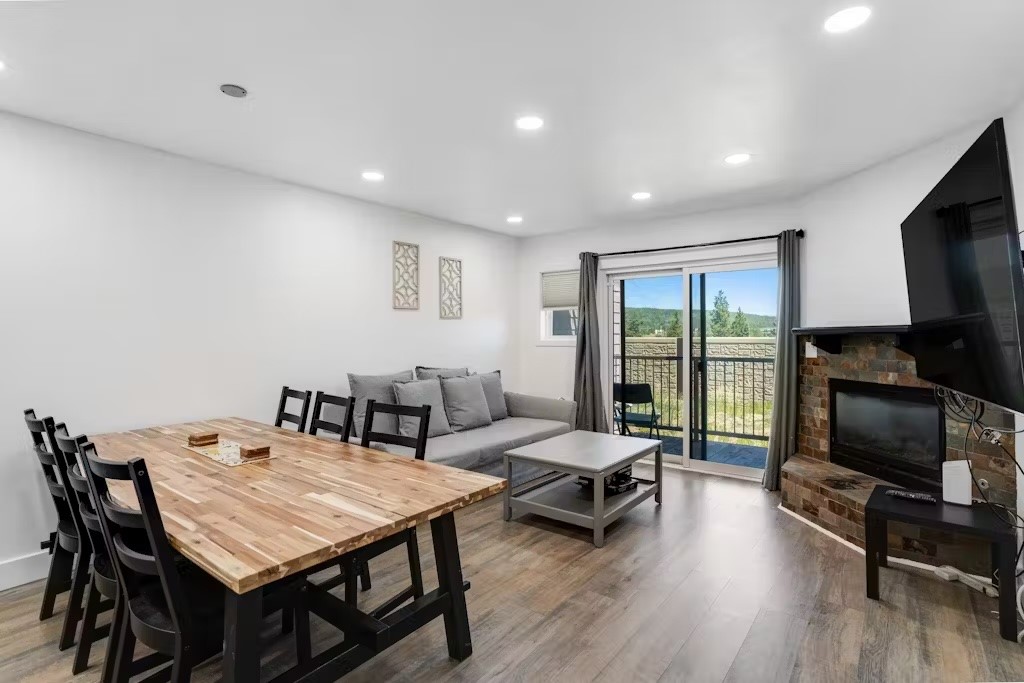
{"points": [[482, 449]]}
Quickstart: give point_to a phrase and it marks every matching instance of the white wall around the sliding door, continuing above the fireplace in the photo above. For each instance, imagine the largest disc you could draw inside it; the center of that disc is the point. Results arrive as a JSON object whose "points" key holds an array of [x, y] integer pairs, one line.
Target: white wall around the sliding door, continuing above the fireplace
{"points": [[854, 255]]}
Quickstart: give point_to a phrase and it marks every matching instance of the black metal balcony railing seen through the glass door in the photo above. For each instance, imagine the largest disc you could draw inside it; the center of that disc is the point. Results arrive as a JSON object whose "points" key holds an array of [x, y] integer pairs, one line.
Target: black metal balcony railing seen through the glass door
{"points": [[740, 393]]}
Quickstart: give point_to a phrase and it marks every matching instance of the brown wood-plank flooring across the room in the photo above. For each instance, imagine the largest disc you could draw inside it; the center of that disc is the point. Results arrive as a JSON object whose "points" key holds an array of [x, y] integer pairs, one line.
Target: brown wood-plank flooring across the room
{"points": [[717, 585]]}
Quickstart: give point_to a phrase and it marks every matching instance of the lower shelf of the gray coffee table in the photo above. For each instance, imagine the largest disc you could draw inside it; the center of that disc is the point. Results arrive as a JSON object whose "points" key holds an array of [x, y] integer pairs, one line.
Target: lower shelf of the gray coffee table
{"points": [[567, 501]]}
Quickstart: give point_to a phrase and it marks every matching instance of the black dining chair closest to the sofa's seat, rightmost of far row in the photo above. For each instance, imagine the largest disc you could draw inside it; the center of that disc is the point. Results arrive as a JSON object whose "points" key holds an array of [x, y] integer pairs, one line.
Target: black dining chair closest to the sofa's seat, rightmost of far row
{"points": [[360, 560]]}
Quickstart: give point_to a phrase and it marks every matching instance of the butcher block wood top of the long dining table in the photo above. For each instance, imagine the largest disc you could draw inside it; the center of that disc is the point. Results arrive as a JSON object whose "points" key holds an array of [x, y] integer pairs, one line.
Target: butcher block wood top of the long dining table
{"points": [[315, 500]]}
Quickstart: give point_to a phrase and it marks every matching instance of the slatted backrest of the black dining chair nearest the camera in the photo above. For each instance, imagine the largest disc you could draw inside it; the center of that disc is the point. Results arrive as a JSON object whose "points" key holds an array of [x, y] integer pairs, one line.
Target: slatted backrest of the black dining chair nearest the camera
{"points": [[138, 539]]}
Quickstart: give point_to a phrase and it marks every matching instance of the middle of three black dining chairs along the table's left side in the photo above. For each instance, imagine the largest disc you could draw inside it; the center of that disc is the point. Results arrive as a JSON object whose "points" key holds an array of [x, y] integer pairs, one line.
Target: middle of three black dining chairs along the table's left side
{"points": [[104, 583]]}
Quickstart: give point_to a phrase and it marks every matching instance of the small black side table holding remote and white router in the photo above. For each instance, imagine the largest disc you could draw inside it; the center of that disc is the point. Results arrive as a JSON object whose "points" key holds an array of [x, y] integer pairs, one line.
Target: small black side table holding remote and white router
{"points": [[977, 521]]}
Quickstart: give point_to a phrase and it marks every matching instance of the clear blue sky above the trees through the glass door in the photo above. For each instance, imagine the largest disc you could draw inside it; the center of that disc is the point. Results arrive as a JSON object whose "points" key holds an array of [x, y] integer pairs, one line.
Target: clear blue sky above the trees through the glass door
{"points": [[754, 291]]}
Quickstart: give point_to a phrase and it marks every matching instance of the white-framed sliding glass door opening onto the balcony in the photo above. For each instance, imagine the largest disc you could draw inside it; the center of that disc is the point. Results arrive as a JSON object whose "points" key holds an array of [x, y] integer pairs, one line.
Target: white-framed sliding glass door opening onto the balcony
{"points": [[693, 359]]}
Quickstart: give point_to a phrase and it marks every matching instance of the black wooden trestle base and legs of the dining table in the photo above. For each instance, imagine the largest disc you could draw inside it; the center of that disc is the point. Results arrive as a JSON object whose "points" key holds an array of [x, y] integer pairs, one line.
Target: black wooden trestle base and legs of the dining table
{"points": [[366, 636]]}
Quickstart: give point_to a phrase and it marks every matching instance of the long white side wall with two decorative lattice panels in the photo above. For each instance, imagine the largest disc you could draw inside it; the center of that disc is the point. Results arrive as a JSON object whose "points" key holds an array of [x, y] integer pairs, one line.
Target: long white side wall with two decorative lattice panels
{"points": [[139, 288]]}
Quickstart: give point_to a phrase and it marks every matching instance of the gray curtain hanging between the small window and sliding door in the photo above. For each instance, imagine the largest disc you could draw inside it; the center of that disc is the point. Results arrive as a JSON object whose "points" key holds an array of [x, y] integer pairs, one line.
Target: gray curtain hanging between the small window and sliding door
{"points": [[588, 395]]}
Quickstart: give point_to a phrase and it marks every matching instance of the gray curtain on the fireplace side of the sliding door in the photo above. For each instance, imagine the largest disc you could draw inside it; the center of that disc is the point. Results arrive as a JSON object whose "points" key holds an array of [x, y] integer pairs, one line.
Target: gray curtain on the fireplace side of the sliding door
{"points": [[783, 441]]}
